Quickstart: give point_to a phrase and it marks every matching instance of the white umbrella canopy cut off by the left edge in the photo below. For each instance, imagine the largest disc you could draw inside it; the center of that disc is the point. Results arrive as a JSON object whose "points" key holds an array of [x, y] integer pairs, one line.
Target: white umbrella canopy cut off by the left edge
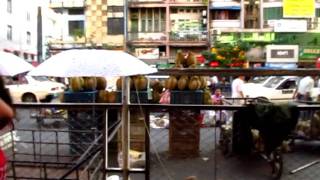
{"points": [[11, 65]]}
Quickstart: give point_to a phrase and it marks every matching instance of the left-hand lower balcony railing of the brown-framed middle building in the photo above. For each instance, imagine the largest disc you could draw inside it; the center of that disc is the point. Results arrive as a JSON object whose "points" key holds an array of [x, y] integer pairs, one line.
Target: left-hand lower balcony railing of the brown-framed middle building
{"points": [[147, 36]]}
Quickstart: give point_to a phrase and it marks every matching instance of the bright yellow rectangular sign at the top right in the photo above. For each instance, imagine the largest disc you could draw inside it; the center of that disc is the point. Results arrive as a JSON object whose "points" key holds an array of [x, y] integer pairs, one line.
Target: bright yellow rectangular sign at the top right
{"points": [[298, 8]]}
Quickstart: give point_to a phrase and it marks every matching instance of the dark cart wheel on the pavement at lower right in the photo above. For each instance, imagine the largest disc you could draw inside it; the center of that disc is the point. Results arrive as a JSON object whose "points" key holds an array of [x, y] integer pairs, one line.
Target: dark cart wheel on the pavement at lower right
{"points": [[276, 164]]}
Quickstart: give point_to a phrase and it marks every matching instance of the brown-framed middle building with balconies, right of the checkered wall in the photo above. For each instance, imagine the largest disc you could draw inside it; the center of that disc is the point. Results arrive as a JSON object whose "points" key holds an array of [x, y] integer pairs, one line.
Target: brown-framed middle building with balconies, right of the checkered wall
{"points": [[157, 29]]}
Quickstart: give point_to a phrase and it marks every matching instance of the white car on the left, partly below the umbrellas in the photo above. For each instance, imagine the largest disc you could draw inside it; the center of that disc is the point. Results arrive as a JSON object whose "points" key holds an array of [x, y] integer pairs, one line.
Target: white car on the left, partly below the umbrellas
{"points": [[33, 89]]}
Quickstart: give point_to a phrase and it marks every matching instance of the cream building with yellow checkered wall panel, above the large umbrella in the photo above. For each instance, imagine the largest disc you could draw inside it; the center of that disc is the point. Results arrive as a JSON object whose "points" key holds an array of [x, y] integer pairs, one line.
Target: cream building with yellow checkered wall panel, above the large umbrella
{"points": [[88, 24]]}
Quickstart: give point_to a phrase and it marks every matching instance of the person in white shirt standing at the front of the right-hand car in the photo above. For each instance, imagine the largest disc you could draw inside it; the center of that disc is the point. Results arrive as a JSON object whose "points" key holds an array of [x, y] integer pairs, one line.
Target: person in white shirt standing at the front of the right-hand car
{"points": [[237, 89]]}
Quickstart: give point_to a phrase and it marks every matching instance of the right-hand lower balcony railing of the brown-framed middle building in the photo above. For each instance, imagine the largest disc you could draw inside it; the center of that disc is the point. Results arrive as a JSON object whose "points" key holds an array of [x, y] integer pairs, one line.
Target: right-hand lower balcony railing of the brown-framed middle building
{"points": [[188, 36]]}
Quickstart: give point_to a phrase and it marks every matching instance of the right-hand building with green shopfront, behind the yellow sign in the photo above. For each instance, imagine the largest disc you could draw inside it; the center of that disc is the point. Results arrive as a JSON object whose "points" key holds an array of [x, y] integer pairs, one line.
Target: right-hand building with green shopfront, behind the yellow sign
{"points": [[268, 22]]}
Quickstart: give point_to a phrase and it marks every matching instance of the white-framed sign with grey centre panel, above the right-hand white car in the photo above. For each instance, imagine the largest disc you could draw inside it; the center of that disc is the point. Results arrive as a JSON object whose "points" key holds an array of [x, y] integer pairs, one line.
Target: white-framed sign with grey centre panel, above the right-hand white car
{"points": [[282, 53]]}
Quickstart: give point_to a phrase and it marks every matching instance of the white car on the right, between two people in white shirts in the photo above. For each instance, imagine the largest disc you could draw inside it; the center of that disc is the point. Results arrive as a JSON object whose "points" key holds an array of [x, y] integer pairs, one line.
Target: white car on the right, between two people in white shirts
{"points": [[275, 88]]}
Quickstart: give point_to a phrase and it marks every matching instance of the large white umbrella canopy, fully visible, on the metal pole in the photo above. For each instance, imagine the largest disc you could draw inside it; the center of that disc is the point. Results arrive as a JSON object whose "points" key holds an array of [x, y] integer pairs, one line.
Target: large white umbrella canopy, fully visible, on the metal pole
{"points": [[92, 62]]}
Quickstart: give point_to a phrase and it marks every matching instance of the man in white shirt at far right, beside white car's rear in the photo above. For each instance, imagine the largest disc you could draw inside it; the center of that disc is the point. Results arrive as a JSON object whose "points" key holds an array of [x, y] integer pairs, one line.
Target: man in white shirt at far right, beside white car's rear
{"points": [[304, 89]]}
